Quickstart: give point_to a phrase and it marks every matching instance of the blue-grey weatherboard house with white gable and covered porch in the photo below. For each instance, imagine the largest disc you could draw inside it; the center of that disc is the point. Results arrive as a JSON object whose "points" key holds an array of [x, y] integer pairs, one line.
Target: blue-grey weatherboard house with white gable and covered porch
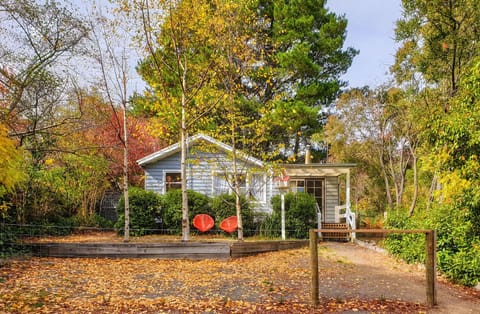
{"points": [[209, 171]]}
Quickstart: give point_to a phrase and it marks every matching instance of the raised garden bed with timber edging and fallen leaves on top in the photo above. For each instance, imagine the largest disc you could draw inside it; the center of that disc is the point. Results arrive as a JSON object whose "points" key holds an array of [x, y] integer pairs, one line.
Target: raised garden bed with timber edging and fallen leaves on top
{"points": [[109, 245]]}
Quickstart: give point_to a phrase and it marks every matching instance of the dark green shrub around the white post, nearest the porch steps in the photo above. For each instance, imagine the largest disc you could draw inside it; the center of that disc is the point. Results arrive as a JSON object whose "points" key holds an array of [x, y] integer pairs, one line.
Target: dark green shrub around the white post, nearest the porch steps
{"points": [[300, 216]]}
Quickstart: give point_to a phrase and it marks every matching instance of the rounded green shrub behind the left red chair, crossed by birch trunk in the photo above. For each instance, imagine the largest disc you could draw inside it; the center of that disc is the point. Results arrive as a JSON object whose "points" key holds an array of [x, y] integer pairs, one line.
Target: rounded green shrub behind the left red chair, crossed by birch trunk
{"points": [[171, 208]]}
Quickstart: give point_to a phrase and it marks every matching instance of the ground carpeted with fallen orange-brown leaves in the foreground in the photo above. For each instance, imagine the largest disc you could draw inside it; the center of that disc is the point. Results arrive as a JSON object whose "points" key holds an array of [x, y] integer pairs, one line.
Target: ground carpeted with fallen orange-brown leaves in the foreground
{"points": [[277, 282]]}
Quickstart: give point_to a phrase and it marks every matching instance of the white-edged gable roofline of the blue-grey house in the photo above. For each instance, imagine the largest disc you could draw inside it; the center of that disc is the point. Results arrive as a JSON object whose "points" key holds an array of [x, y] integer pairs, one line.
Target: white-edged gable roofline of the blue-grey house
{"points": [[175, 148]]}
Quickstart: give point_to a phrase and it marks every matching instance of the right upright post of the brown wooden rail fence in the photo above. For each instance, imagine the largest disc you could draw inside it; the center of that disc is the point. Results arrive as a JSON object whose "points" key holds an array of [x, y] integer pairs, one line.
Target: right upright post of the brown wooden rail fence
{"points": [[430, 266]]}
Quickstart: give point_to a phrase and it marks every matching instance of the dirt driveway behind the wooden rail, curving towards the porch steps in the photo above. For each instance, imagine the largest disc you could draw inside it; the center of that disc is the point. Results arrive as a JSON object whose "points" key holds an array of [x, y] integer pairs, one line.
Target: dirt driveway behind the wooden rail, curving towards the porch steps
{"points": [[375, 275]]}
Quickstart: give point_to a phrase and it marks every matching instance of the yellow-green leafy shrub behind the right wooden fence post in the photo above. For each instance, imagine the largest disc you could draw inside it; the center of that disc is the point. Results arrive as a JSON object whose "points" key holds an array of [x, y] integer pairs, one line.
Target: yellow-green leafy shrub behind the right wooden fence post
{"points": [[458, 245]]}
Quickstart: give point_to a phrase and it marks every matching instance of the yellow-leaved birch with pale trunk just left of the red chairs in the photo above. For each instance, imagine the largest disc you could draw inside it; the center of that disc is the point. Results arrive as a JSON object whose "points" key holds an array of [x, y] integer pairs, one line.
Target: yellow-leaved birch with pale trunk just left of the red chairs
{"points": [[179, 38]]}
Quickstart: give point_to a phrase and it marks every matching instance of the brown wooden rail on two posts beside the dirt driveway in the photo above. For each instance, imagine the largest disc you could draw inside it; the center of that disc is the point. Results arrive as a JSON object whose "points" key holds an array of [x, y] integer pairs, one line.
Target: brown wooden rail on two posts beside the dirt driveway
{"points": [[430, 261]]}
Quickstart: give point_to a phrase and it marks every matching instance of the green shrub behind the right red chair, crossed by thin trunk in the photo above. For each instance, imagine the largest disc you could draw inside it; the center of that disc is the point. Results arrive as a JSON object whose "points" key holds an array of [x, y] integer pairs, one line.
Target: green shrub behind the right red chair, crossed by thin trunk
{"points": [[223, 206]]}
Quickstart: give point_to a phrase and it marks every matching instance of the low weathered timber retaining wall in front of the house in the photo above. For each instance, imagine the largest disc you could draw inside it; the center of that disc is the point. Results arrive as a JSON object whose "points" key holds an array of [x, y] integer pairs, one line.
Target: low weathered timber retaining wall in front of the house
{"points": [[167, 250]]}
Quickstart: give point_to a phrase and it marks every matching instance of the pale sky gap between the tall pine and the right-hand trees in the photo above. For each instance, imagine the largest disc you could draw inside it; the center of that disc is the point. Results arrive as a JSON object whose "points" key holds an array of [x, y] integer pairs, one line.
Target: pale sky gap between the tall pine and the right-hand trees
{"points": [[370, 29]]}
